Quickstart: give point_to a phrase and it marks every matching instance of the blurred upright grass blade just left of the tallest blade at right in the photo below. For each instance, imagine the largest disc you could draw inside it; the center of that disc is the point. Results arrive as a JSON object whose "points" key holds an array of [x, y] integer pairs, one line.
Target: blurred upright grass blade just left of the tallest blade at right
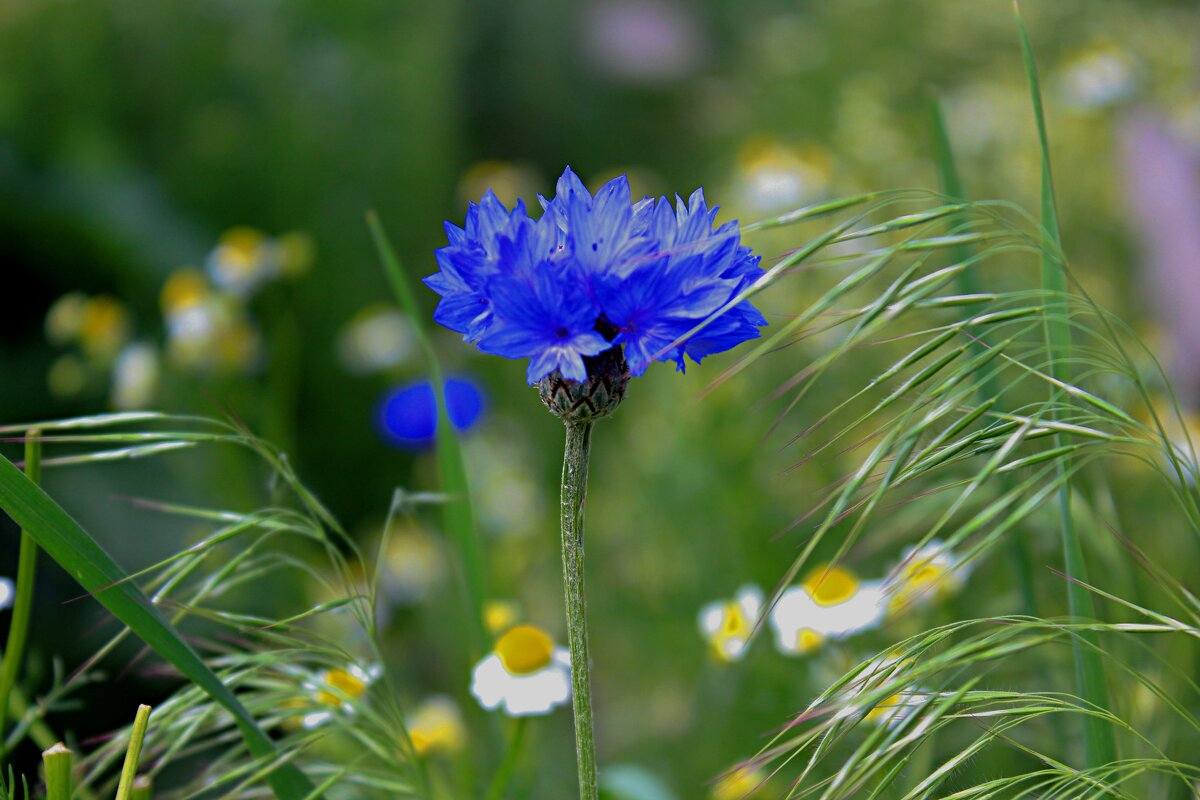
{"points": [[970, 284]]}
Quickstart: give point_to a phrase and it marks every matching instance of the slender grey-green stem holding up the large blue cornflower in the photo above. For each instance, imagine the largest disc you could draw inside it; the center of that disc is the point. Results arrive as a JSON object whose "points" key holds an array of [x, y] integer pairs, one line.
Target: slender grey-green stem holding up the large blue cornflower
{"points": [[575, 485]]}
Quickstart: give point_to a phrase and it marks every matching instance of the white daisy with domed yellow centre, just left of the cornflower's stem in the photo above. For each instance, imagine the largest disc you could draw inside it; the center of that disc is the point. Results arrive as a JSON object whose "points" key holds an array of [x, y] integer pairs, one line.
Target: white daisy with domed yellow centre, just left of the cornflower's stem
{"points": [[525, 675]]}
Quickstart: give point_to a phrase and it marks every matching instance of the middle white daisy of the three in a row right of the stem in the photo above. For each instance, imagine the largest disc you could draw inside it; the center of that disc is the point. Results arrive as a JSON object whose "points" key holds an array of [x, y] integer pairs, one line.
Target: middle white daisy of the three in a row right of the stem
{"points": [[831, 604]]}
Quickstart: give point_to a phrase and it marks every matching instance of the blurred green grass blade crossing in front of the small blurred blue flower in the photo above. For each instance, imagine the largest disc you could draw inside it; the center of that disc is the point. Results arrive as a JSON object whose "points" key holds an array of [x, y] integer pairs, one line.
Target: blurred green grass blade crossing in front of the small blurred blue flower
{"points": [[459, 514]]}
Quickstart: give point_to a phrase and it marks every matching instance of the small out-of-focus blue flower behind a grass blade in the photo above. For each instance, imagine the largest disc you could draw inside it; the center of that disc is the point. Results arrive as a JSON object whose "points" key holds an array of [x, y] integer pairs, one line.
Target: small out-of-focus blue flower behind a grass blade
{"points": [[409, 414]]}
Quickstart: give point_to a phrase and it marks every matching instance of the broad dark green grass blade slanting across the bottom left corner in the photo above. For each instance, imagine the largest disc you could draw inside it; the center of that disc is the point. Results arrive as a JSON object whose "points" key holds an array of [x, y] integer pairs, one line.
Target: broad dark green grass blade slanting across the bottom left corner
{"points": [[87, 562]]}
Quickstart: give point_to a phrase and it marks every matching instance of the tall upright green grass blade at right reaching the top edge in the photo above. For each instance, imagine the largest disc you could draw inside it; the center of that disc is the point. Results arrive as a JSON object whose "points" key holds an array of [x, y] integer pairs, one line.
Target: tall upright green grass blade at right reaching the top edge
{"points": [[1100, 745]]}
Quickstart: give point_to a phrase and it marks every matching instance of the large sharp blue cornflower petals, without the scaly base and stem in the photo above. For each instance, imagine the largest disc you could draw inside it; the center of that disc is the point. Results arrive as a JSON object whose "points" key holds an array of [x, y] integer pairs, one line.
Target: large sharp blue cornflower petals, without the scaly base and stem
{"points": [[596, 273]]}
